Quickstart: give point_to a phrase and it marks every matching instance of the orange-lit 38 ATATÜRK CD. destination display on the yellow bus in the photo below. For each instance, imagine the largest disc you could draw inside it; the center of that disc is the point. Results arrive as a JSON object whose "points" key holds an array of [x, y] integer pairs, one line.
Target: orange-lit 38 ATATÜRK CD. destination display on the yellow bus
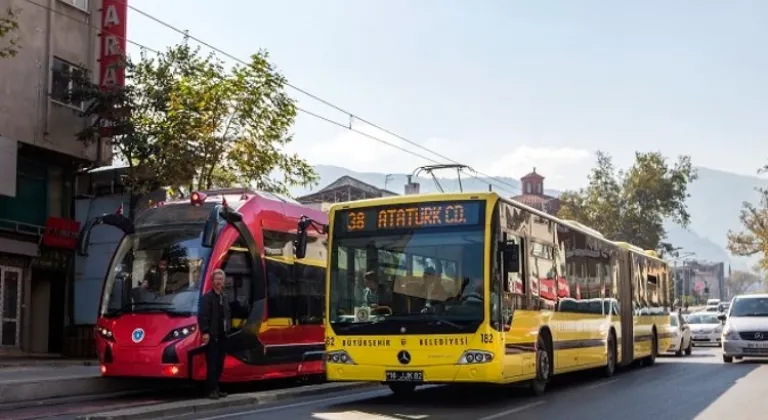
{"points": [[415, 216]]}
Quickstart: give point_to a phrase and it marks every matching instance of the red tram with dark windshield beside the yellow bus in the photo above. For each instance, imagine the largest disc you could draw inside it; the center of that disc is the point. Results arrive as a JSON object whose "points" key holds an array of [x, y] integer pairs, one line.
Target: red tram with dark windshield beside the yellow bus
{"points": [[147, 324]]}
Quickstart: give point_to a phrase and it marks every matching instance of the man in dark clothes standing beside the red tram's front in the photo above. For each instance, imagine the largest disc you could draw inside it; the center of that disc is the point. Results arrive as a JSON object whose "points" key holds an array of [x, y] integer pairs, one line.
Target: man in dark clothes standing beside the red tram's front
{"points": [[214, 319]]}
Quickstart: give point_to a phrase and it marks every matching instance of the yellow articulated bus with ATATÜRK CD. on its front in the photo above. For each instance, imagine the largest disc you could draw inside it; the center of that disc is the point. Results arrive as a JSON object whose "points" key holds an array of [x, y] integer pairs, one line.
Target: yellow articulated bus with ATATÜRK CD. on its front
{"points": [[475, 288]]}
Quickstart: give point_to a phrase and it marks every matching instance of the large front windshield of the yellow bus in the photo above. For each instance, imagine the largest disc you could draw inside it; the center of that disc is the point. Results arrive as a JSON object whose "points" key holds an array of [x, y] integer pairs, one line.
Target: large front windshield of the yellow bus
{"points": [[423, 279]]}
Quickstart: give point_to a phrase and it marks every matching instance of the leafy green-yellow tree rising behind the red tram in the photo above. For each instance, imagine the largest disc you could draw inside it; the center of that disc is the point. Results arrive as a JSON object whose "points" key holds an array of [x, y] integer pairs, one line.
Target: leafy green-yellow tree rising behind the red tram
{"points": [[185, 122]]}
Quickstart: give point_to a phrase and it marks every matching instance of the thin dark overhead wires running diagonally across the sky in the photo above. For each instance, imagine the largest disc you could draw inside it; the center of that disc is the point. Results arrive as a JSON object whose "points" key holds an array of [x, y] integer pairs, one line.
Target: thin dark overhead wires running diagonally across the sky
{"points": [[351, 115]]}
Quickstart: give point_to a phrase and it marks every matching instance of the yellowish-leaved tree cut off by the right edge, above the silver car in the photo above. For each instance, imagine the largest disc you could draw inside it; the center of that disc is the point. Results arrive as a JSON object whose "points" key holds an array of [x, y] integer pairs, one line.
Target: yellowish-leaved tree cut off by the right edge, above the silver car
{"points": [[753, 239]]}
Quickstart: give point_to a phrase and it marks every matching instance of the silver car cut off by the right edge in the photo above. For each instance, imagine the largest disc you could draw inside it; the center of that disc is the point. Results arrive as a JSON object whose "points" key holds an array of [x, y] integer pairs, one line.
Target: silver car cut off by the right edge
{"points": [[746, 328]]}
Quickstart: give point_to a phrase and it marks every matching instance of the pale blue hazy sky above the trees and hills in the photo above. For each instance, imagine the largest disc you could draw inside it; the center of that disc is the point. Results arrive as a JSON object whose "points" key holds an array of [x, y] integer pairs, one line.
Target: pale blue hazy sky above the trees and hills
{"points": [[503, 85]]}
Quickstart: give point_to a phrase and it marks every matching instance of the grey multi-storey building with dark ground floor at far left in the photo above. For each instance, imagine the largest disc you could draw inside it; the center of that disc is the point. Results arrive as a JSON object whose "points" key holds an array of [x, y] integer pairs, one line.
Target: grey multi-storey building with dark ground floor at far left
{"points": [[39, 159]]}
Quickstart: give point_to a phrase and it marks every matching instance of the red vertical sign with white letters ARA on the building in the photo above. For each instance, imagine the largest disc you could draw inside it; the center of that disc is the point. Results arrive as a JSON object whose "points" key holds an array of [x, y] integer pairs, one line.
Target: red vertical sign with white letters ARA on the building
{"points": [[114, 14]]}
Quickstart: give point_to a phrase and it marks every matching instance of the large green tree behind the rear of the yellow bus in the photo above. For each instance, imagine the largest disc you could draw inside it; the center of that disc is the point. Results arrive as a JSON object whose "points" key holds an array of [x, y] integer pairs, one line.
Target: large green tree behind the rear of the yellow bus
{"points": [[631, 206]]}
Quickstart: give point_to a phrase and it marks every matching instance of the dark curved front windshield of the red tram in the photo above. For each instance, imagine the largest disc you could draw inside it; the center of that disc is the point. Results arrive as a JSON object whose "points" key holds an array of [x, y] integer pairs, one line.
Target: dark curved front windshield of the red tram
{"points": [[156, 270]]}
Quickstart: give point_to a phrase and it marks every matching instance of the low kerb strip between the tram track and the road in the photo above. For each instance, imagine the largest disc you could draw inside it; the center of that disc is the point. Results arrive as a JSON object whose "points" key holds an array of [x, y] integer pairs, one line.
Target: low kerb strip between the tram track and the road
{"points": [[189, 407]]}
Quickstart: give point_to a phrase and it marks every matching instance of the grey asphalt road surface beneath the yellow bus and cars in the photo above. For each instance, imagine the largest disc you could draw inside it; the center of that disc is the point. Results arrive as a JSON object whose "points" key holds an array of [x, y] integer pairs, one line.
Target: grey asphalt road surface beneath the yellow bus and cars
{"points": [[697, 387]]}
